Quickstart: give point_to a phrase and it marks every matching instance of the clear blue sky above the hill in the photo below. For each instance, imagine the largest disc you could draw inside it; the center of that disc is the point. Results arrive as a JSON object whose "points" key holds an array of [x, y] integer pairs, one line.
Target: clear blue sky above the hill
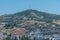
{"points": [[13, 6]]}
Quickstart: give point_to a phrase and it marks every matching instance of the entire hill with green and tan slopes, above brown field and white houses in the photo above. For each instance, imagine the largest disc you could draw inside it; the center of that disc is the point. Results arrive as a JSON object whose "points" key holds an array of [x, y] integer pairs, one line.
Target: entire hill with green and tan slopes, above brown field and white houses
{"points": [[31, 20]]}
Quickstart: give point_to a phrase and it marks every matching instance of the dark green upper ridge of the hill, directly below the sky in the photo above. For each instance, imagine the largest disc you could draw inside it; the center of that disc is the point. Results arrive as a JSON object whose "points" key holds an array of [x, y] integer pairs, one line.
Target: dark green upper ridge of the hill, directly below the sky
{"points": [[28, 14]]}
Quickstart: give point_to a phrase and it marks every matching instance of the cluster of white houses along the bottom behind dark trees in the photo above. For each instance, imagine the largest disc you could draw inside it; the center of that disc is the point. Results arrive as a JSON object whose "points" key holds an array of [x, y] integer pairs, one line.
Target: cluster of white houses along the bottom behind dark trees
{"points": [[33, 36]]}
